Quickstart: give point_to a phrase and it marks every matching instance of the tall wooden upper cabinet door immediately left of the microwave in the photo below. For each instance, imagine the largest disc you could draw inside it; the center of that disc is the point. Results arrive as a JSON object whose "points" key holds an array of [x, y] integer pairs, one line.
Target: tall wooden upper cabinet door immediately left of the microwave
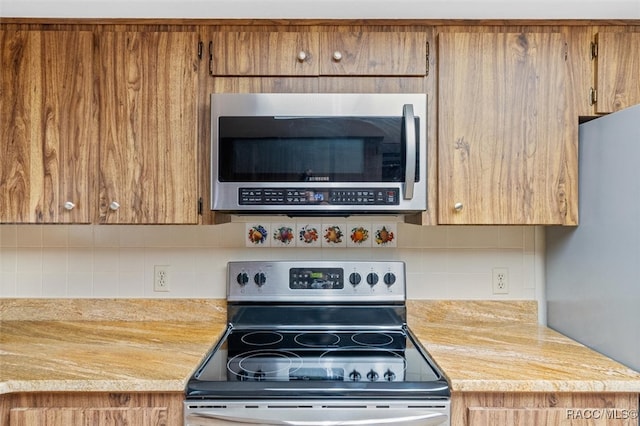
{"points": [[147, 94]]}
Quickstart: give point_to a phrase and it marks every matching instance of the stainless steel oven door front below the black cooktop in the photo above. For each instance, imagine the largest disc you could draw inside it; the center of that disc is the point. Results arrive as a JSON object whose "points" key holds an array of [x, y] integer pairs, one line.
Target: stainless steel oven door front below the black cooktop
{"points": [[317, 413]]}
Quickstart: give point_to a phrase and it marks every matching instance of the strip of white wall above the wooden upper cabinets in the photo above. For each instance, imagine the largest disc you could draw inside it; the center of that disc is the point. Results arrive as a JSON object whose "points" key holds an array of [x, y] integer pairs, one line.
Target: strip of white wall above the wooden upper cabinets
{"points": [[402, 9]]}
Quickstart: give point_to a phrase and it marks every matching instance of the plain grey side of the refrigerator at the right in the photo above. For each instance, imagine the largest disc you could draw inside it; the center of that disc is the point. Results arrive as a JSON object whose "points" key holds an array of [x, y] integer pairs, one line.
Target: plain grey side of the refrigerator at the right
{"points": [[593, 270]]}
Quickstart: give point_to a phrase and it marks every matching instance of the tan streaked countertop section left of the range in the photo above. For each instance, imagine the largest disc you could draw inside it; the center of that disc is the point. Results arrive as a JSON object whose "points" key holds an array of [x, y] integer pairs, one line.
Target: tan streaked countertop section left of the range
{"points": [[104, 345]]}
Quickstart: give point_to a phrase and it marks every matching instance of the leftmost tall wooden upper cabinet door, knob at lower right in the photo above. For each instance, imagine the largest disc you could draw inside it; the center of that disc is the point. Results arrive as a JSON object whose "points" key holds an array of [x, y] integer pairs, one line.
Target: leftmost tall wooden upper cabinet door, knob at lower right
{"points": [[46, 120]]}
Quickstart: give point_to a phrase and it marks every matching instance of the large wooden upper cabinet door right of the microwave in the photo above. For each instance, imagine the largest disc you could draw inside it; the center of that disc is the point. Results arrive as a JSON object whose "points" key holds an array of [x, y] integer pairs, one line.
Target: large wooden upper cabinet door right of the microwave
{"points": [[507, 154]]}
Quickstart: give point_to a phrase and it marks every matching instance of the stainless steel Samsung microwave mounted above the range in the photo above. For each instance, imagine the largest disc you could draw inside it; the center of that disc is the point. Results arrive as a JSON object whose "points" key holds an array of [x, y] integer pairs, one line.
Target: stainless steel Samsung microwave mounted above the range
{"points": [[318, 154]]}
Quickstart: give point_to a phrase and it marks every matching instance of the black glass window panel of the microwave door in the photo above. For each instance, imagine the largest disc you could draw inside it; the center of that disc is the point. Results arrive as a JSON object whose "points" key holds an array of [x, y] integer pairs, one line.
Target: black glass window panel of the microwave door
{"points": [[311, 149]]}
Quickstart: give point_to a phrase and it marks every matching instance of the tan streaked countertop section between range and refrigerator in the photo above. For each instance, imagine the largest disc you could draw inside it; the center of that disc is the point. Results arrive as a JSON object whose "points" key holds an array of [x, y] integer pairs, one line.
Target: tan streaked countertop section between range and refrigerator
{"points": [[489, 346]]}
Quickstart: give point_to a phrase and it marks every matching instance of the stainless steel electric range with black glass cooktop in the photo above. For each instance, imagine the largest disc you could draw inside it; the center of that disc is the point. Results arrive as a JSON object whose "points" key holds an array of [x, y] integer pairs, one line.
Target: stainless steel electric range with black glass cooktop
{"points": [[317, 343]]}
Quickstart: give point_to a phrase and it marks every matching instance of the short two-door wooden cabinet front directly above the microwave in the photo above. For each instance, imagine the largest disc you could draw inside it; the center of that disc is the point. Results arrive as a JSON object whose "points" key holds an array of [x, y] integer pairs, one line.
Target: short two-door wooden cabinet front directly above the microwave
{"points": [[318, 53]]}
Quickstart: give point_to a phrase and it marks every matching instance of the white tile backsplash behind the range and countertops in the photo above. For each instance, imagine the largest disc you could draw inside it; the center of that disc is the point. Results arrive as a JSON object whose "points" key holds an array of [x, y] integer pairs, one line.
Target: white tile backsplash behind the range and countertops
{"points": [[110, 261]]}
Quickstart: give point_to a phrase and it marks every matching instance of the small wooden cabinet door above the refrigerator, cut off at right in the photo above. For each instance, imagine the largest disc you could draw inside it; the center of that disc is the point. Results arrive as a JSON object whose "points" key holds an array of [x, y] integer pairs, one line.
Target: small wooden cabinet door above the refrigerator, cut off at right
{"points": [[618, 71]]}
